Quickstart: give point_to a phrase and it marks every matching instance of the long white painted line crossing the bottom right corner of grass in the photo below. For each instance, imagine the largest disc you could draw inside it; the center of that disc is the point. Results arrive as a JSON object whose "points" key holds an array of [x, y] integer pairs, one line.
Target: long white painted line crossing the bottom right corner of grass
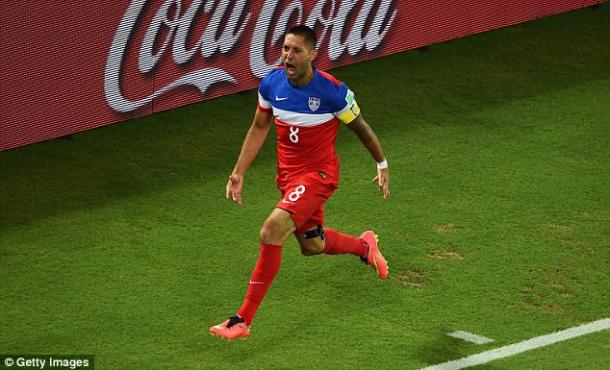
{"points": [[513, 349]]}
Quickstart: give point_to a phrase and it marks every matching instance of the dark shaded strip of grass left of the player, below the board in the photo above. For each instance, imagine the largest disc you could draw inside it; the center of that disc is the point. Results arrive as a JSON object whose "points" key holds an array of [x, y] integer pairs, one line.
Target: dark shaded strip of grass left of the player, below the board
{"points": [[195, 143]]}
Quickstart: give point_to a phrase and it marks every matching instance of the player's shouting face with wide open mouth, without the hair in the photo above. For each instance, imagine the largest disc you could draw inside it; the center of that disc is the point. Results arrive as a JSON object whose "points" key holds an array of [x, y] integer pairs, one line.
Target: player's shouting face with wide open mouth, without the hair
{"points": [[297, 58]]}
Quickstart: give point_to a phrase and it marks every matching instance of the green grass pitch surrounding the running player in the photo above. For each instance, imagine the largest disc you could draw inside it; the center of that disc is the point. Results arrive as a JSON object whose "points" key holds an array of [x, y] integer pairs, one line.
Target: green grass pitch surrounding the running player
{"points": [[119, 242]]}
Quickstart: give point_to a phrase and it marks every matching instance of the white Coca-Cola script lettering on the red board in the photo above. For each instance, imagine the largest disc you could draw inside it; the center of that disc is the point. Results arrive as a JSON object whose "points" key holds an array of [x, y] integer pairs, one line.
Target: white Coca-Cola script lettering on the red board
{"points": [[227, 25]]}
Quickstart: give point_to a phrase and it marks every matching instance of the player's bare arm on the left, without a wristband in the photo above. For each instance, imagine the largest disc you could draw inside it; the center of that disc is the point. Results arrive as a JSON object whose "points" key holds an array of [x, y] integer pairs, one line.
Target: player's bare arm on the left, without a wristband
{"points": [[252, 144]]}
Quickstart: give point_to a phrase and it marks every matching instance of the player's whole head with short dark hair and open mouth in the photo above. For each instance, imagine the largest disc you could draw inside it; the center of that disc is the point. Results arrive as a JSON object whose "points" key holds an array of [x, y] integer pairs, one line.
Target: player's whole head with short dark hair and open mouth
{"points": [[298, 53]]}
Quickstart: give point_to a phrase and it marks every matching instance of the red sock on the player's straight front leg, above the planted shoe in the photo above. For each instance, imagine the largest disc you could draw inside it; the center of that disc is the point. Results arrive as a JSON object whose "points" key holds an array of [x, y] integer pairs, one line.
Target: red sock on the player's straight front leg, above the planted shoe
{"points": [[266, 268]]}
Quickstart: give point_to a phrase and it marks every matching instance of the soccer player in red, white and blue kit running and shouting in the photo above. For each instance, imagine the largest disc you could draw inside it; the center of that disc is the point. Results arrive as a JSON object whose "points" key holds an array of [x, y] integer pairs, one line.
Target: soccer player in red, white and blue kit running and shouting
{"points": [[308, 106]]}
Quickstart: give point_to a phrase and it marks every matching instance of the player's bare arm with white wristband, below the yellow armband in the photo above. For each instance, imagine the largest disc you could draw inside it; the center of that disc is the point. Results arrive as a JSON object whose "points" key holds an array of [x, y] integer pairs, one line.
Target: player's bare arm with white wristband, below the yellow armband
{"points": [[368, 138]]}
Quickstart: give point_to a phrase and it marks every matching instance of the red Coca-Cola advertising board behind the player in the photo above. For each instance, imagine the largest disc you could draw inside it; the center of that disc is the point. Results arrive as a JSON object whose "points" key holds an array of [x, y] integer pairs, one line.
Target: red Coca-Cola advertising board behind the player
{"points": [[68, 66]]}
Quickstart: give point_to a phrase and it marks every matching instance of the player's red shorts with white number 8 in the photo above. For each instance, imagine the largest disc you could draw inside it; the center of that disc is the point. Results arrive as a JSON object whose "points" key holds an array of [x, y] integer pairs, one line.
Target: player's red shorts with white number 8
{"points": [[304, 198]]}
